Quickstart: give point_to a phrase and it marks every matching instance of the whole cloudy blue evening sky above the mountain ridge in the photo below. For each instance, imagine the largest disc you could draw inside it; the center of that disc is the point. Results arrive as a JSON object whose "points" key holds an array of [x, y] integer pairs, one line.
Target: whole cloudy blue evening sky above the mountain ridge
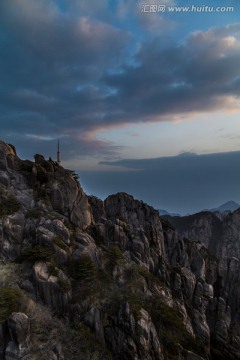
{"points": [[144, 96]]}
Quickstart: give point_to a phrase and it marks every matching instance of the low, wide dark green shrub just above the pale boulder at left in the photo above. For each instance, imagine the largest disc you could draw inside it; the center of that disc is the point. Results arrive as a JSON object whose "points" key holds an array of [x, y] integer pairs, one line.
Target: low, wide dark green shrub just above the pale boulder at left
{"points": [[36, 253]]}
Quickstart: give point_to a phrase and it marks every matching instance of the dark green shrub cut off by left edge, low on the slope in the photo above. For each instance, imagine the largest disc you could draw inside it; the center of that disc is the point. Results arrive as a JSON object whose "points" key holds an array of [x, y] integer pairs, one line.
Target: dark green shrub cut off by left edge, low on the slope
{"points": [[10, 299]]}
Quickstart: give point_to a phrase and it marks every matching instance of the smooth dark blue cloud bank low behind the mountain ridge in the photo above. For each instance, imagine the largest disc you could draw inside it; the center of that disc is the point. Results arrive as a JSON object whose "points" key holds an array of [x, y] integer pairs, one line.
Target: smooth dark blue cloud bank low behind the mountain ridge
{"points": [[180, 184]]}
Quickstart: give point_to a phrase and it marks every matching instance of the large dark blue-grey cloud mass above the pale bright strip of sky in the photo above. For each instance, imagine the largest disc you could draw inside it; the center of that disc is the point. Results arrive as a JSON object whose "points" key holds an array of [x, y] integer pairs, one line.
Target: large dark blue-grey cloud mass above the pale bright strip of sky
{"points": [[65, 73]]}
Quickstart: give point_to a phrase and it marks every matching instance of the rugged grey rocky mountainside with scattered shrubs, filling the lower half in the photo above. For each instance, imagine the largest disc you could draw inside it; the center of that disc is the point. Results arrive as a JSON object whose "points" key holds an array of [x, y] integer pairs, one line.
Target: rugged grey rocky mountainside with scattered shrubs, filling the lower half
{"points": [[82, 278]]}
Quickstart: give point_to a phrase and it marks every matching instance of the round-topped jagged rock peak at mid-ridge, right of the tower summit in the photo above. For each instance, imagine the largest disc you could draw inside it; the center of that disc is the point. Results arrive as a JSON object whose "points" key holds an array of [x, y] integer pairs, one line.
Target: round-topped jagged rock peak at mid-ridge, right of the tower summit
{"points": [[134, 227]]}
